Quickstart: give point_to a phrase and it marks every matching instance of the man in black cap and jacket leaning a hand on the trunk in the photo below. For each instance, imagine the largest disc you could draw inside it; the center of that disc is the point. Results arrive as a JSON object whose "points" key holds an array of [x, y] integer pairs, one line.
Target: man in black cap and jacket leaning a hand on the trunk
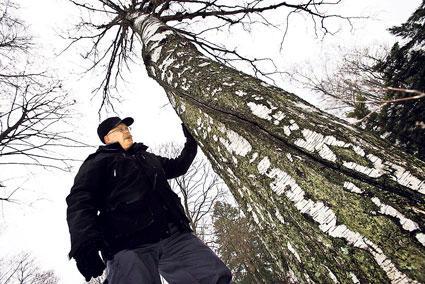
{"points": [[122, 205]]}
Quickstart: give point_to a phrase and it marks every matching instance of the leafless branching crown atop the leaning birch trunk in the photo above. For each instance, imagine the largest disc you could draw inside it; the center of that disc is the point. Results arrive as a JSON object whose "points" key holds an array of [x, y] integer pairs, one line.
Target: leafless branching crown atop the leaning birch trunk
{"points": [[110, 53]]}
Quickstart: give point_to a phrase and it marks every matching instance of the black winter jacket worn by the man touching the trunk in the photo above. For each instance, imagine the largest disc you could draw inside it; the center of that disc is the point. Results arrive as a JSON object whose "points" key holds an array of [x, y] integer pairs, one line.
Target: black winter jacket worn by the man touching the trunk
{"points": [[122, 198]]}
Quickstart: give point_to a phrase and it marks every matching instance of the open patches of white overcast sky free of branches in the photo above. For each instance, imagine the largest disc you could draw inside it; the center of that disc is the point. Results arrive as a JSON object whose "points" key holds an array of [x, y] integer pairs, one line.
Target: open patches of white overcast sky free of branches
{"points": [[38, 224]]}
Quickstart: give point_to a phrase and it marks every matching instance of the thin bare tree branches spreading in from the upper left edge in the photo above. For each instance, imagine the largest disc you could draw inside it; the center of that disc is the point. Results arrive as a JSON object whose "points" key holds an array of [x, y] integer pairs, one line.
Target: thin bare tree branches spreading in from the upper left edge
{"points": [[33, 106]]}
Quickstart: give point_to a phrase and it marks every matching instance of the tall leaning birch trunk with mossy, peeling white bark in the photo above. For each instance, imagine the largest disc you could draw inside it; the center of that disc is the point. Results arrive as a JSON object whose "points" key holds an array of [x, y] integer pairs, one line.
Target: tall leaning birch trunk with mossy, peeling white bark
{"points": [[334, 203]]}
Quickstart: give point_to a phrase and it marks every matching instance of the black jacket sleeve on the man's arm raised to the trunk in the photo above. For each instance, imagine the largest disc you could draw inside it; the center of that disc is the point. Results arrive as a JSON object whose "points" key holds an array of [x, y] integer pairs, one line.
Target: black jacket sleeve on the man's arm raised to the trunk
{"points": [[179, 166]]}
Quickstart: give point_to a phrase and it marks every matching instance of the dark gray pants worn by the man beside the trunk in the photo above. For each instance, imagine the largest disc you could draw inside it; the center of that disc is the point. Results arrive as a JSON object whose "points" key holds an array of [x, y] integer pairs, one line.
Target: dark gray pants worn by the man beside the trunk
{"points": [[181, 259]]}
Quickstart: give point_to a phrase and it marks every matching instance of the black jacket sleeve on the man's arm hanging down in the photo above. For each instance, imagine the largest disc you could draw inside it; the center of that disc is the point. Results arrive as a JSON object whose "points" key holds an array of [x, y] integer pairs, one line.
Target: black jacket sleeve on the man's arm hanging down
{"points": [[83, 205]]}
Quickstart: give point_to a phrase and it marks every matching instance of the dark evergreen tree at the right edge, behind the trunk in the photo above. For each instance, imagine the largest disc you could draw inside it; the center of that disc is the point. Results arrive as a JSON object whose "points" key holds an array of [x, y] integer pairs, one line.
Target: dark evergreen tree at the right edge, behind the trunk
{"points": [[404, 68]]}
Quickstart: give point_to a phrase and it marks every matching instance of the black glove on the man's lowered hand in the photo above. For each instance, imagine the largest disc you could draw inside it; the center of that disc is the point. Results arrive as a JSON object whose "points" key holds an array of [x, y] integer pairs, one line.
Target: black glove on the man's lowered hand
{"points": [[89, 263]]}
